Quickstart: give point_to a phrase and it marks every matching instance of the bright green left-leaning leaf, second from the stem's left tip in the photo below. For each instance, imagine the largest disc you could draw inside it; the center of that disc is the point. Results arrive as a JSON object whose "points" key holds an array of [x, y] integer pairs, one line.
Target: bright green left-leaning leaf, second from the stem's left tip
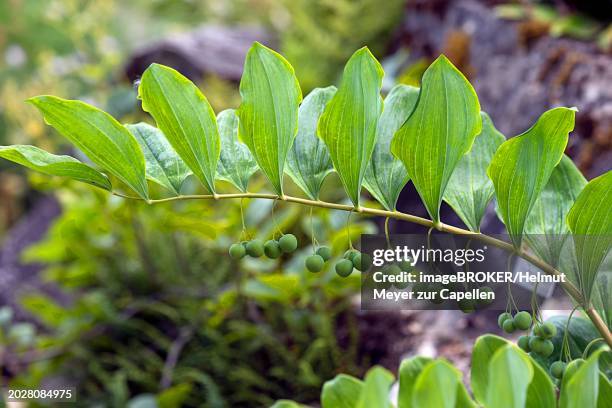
{"points": [[104, 140]]}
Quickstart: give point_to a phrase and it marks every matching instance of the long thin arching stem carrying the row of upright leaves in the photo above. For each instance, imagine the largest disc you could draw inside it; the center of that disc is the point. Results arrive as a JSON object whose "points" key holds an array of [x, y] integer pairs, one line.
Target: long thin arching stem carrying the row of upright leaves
{"points": [[568, 286]]}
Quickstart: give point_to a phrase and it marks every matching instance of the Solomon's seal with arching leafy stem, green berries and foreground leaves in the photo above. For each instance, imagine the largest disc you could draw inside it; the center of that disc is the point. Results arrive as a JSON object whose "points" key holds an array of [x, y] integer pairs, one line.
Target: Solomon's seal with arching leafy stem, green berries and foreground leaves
{"points": [[437, 137]]}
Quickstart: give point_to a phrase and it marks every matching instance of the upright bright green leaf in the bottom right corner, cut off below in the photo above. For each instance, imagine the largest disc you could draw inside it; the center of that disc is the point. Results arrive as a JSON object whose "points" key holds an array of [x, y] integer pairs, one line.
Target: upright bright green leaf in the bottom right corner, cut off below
{"points": [[581, 389]]}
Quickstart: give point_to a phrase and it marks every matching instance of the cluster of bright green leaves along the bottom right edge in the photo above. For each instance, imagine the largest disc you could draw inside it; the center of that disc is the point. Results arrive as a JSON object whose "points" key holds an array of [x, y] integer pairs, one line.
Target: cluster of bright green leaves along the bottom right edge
{"points": [[502, 375]]}
